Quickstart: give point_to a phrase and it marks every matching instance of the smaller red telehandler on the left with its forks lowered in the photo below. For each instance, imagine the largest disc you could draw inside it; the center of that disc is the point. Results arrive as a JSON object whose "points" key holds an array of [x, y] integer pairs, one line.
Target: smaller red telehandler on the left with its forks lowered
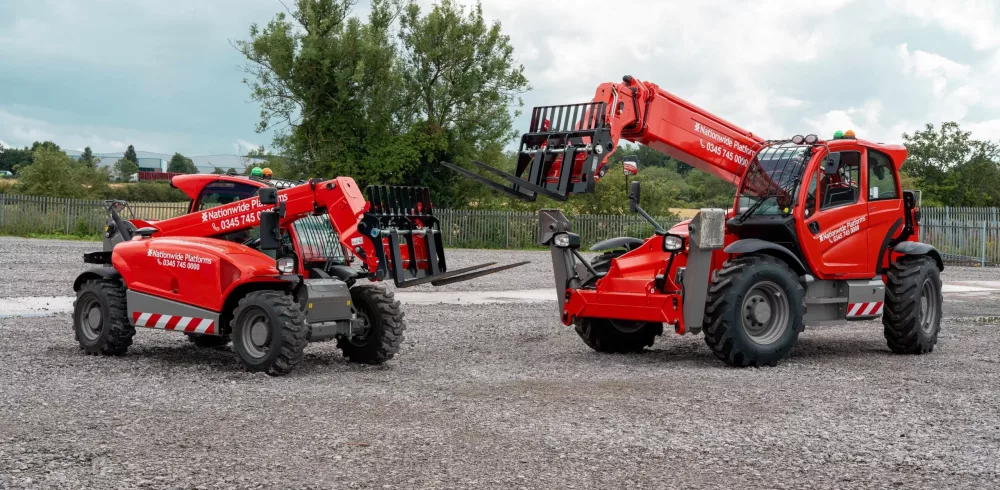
{"points": [[267, 264]]}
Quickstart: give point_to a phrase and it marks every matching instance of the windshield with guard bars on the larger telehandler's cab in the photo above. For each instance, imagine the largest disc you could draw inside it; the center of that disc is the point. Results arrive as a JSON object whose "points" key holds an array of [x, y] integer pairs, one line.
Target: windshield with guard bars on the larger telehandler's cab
{"points": [[772, 179]]}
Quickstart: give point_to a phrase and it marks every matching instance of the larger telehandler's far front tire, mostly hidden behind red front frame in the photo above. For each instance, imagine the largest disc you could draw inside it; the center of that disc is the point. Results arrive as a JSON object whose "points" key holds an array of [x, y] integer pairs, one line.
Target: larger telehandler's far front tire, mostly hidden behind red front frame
{"points": [[615, 336]]}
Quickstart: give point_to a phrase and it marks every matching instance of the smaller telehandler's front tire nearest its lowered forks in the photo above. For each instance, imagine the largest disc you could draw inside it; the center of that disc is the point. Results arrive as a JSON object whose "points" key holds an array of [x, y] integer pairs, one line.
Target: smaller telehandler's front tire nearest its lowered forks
{"points": [[382, 338]]}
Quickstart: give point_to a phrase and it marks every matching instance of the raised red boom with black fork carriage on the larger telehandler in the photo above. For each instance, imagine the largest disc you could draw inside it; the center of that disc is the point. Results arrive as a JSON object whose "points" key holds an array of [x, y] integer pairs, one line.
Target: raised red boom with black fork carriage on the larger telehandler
{"points": [[567, 147]]}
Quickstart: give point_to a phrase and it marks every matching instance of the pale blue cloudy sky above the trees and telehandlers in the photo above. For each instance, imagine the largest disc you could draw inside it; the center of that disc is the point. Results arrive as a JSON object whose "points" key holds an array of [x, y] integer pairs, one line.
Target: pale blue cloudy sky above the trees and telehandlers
{"points": [[162, 75]]}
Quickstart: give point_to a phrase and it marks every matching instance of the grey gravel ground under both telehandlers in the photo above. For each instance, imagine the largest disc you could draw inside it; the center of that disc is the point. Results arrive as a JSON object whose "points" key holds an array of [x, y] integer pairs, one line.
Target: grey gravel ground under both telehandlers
{"points": [[495, 396]]}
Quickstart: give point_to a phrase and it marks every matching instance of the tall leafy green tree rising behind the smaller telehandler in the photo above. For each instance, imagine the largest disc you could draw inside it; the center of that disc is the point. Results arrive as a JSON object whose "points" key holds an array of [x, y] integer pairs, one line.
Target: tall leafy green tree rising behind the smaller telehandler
{"points": [[383, 100]]}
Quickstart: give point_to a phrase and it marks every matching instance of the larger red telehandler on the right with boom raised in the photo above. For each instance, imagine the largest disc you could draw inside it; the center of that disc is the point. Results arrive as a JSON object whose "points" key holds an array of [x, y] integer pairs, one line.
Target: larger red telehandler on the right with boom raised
{"points": [[820, 232]]}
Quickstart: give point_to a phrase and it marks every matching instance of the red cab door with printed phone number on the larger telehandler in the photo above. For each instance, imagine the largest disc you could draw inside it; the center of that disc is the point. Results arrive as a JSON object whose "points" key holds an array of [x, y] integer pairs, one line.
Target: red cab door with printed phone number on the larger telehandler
{"points": [[835, 222]]}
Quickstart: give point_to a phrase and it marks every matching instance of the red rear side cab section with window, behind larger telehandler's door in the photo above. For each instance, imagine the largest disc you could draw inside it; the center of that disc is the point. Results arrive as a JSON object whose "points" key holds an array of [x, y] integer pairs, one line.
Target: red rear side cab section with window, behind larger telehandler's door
{"points": [[885, 207]]}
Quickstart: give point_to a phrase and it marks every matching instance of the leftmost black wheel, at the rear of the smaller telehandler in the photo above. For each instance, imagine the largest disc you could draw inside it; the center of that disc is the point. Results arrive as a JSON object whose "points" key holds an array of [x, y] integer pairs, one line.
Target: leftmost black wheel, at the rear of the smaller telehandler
{"points": [[100, 318]]}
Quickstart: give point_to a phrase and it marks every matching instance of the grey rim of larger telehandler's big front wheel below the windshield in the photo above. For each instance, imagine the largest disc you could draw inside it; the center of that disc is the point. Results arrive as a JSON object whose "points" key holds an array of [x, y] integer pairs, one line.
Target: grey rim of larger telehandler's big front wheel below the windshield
{"points": [[765, 313]]}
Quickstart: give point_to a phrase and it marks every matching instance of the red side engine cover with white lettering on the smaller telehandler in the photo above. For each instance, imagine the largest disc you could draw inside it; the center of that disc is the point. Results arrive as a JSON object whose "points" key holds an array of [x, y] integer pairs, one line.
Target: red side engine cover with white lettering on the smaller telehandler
{"points": [[196, 271]]}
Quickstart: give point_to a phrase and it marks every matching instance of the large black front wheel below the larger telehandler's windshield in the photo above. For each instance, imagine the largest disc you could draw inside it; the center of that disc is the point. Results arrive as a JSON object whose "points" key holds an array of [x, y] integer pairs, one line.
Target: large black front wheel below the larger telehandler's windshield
{"points": [[754, 311]]}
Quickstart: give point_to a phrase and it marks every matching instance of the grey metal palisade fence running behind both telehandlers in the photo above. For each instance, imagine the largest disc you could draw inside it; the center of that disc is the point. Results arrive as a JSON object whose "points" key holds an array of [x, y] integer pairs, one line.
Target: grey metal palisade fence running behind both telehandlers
{"points": [[965, 236]]}
